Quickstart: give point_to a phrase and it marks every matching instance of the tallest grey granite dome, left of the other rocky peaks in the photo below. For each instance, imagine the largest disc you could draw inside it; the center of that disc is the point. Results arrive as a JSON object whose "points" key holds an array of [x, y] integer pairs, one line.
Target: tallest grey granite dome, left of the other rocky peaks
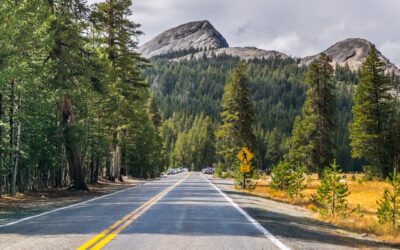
{"points": [[194, 35]]}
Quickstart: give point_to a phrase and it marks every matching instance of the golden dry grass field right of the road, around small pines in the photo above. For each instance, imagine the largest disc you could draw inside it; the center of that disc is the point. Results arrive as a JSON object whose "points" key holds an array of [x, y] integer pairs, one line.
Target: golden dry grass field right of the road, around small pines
{"points": [[362, 203]]}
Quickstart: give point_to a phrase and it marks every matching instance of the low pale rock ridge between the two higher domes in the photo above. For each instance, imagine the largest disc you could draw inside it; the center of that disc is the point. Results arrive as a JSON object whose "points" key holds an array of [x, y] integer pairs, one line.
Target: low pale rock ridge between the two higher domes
{"points": [[245, 53]]}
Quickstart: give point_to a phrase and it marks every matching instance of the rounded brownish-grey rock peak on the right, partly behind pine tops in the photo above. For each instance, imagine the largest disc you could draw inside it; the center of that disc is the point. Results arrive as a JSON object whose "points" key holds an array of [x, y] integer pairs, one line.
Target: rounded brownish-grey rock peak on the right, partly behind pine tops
{"points": [[352, 52]]}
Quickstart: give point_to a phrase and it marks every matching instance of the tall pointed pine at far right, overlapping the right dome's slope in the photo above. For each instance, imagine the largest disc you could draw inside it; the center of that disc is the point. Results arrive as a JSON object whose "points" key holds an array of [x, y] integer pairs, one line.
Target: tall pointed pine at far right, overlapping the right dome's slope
{"points": [[369, 128]]}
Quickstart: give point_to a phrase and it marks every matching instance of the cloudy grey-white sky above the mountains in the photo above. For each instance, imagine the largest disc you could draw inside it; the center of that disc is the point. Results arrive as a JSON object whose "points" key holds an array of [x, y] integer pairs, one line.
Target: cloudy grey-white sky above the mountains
{"points": [[295, 27]]}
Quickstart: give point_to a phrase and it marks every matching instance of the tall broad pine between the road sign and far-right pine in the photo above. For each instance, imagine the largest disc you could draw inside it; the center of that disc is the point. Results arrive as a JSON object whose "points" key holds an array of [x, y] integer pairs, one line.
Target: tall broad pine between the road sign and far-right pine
{"points": [[313, 132]]}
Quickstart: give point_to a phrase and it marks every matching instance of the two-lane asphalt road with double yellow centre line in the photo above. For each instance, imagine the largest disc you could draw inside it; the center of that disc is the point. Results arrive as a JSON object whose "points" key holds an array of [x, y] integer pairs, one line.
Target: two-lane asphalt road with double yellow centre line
{"points": [[184, 211]]}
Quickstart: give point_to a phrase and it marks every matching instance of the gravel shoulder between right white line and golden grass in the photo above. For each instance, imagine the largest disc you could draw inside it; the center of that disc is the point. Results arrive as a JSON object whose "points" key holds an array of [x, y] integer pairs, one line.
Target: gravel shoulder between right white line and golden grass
{"points": [[297, 226]]}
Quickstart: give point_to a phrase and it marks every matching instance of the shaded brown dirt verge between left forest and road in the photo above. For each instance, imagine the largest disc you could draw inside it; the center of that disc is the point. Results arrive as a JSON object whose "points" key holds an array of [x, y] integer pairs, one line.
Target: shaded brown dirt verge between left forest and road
{"points": [[26, 204]]}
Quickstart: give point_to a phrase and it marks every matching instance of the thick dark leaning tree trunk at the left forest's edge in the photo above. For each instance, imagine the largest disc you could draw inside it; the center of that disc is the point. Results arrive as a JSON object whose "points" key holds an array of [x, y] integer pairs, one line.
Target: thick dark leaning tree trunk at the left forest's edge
{"points": [[68, 123]]}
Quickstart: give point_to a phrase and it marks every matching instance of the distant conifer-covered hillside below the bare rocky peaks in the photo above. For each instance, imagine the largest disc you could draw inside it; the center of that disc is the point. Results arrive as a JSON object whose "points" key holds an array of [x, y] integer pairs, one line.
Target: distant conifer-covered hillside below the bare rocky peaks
{"points": [[192, 88]]}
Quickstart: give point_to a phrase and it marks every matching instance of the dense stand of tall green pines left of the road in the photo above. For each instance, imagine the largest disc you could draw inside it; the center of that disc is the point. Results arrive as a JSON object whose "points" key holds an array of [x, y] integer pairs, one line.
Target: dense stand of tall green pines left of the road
{"points": [[73, 105]]}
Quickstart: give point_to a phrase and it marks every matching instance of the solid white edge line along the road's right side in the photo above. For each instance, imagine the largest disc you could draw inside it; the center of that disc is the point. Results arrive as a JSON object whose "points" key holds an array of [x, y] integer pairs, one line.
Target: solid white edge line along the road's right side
{"points": [[262, 229]]}
